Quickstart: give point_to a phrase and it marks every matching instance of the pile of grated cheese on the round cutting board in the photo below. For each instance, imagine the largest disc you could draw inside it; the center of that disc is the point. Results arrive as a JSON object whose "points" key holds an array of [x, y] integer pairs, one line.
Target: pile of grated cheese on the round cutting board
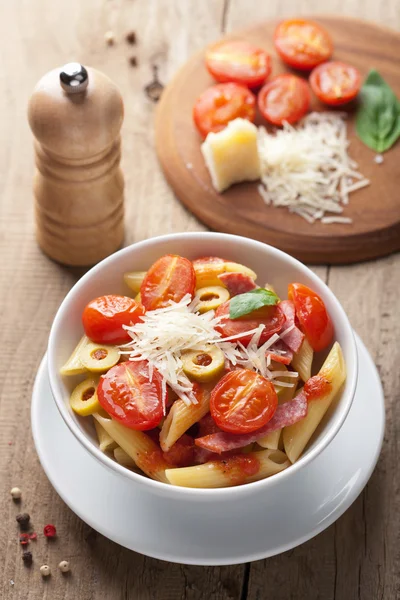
{"points": [[308, 170]]}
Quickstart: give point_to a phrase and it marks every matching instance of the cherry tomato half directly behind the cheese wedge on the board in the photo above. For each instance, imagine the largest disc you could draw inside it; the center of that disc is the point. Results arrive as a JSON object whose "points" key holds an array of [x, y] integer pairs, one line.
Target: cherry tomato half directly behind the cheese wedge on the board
{"points": [[222, 103]]}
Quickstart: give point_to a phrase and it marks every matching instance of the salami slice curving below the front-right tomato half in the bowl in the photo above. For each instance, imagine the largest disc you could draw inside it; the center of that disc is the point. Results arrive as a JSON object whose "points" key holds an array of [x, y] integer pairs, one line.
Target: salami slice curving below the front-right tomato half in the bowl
{"points": [[286, 414]]}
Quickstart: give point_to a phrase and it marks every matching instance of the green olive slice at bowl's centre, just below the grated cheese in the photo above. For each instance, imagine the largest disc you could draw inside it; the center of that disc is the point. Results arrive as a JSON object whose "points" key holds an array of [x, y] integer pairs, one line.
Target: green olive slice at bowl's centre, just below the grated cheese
{"points": [[205, 364]]}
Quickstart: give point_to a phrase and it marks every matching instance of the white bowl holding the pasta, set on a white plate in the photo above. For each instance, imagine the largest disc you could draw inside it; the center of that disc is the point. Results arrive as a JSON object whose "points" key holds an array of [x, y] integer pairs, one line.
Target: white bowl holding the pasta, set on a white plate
{"points": [[270, 264]]}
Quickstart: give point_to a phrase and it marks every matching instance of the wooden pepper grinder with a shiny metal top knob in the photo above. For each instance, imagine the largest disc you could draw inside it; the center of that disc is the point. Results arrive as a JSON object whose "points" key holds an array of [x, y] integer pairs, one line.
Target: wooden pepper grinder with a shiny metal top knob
{"points": [[76, 116]]}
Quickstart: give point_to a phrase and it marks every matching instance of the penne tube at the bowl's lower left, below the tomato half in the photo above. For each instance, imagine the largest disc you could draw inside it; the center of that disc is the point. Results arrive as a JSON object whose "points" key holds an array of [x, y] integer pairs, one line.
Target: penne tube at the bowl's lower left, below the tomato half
{"points": [[143, 451]]}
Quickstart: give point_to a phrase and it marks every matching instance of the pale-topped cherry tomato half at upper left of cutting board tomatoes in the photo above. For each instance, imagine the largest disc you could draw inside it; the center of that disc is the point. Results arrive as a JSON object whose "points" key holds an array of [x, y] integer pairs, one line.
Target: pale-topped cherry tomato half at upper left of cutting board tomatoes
{"points": [[239, 62]]}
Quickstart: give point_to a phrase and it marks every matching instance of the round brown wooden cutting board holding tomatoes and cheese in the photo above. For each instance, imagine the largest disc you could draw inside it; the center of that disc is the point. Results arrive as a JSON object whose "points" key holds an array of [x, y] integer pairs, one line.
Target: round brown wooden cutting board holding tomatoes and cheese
{"points": [[375, 210]]}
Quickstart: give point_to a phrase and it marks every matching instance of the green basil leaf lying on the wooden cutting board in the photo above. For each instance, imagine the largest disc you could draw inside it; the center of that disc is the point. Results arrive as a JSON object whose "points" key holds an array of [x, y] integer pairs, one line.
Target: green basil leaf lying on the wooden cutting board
{"points": [[378, 117]]}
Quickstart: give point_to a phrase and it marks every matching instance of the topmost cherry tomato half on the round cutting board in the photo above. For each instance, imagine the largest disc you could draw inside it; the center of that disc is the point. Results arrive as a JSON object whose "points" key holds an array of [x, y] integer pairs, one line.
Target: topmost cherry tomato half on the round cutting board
{"points": [[302, 44]]}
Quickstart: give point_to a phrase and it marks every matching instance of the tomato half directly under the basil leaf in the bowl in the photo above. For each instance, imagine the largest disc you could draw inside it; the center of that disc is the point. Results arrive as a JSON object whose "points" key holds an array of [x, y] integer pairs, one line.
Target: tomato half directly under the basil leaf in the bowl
{"points": [[270, 316]]}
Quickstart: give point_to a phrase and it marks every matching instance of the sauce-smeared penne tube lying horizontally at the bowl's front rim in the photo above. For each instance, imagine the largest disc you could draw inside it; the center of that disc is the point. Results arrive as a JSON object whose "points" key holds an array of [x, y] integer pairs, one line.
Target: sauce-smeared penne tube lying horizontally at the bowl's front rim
{"points": [[236, 470]]}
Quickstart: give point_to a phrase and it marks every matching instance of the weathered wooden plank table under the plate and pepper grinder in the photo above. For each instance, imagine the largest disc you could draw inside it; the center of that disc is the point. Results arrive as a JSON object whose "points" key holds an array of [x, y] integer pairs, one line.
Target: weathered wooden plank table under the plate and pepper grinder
{"points": [[356, 558]]}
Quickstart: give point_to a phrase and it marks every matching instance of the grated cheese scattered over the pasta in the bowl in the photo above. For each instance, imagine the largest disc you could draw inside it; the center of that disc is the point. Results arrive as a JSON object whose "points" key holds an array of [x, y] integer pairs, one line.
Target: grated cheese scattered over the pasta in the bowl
{"points": [[164, 334]]}
